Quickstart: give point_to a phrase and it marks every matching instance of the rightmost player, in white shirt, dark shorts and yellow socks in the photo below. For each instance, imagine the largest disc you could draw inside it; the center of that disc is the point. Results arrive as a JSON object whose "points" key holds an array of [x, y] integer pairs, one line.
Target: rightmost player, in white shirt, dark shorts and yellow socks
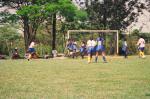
{"points": [[141, 47]]}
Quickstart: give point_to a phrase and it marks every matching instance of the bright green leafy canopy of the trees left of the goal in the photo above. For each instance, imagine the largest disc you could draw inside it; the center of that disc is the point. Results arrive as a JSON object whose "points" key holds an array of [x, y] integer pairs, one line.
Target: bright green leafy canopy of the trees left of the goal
{"points": [[47, 8]]}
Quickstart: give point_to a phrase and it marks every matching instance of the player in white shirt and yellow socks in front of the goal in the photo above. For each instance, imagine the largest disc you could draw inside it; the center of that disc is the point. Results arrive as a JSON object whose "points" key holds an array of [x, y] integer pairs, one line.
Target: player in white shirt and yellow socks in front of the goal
{"points": [[90, 48]]}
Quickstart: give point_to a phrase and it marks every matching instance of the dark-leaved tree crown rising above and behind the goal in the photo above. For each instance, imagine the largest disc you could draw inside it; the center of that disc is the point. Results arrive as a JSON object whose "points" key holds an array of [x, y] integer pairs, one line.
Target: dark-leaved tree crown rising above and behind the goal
{"points": [[112, 14]]}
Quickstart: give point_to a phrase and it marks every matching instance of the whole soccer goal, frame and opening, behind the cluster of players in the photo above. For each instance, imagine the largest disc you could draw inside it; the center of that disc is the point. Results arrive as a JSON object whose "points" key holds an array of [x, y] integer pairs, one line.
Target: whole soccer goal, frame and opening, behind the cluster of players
{"points": [[111, 38]]}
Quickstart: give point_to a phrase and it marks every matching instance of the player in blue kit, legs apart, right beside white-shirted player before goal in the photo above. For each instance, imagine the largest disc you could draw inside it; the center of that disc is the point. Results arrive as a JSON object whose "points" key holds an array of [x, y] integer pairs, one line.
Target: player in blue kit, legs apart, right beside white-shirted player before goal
{"points": [[100, 48]]}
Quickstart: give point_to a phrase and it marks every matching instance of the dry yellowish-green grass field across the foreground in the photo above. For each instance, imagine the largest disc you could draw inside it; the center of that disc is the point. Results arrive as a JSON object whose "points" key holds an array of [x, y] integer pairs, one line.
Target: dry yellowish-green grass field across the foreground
{"points": [[75, 79]]}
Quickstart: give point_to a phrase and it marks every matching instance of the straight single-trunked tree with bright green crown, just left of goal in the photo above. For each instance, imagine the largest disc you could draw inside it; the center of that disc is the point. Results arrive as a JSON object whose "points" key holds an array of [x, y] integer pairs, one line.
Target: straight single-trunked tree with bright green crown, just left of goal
{"points": [[63, 8]]}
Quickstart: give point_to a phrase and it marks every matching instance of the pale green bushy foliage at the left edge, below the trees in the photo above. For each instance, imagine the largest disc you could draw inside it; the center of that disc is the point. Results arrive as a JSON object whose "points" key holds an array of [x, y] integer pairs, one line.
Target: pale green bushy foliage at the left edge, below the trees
{"points": [[9, 38]]}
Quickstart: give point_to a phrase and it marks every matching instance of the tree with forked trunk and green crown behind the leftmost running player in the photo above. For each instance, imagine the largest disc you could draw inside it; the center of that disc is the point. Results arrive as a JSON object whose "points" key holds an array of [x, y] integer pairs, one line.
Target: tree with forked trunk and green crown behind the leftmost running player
{"points": [[31, 17]]}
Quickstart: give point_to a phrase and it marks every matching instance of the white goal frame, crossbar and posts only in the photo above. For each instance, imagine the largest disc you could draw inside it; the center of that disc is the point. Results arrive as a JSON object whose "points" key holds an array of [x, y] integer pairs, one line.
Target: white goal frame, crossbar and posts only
{"points": [[116, 32]]}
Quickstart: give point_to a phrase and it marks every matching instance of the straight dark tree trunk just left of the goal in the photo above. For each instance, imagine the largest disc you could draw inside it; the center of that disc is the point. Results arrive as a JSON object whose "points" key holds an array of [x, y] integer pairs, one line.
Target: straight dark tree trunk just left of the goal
{"points": [[54, 32]]}
